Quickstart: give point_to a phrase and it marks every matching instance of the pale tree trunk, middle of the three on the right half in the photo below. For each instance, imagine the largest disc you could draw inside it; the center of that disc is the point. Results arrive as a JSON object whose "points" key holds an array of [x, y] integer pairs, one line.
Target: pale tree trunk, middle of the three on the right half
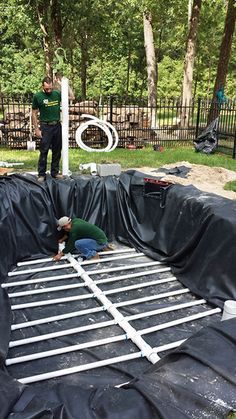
{"points": [[189, 64]]}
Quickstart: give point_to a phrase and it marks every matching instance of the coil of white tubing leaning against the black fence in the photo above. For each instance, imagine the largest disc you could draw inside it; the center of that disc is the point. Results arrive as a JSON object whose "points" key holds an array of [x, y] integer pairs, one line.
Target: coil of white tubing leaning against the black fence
{"points": [[103, 125]]}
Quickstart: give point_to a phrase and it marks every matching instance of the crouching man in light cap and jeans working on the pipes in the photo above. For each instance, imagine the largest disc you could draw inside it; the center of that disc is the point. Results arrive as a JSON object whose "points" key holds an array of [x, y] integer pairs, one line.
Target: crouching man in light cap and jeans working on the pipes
{"points": [[85, 237]]}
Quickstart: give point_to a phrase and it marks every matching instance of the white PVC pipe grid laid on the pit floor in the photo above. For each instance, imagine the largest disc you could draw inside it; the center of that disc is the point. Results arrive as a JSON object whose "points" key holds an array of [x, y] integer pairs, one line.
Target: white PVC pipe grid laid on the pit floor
{"points": [[114, 302]]}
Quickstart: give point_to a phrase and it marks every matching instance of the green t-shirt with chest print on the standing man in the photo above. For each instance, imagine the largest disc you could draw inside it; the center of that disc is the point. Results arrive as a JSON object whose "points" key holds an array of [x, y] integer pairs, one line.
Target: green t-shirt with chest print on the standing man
{"points": [[48, 105]]}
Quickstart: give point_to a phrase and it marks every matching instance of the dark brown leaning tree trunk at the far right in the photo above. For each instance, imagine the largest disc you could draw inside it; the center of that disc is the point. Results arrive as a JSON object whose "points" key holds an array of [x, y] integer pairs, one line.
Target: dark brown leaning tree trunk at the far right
{"points": [[224, 57]]}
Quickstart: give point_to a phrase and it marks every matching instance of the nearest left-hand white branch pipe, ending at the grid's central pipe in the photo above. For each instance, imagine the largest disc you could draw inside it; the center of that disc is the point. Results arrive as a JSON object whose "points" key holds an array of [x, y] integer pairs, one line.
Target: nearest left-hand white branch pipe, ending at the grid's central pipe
{"points": [[85, 367]]}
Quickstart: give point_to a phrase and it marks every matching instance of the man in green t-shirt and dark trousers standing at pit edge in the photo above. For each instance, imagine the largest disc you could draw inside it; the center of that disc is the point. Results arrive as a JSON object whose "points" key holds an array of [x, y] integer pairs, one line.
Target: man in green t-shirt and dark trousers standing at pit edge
{"points": [[47, 103]]}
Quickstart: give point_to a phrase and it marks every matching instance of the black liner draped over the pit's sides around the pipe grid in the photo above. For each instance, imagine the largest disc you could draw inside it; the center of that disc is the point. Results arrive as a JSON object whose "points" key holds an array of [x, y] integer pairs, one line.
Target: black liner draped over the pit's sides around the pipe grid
{"points": [[195, 233]]}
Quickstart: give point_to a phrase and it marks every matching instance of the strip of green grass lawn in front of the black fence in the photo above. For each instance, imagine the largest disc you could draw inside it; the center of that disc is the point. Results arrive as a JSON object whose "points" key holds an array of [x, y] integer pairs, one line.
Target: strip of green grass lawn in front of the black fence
{"points": [[127, 158]]}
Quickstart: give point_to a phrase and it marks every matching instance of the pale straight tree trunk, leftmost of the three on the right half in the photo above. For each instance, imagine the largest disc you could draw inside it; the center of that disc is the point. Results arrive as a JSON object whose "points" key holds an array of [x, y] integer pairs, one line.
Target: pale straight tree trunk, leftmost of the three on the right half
{"points": [[151, 63]]}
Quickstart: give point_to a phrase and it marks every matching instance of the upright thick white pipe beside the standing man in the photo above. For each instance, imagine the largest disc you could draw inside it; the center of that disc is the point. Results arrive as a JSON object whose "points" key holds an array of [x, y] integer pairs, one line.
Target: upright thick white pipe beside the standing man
{"points": [[65, 125]]}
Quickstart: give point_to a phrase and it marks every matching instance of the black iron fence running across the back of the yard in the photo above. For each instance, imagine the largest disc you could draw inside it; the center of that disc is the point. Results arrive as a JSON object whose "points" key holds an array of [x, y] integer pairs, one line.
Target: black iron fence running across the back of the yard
{"points": [[168, 124]]}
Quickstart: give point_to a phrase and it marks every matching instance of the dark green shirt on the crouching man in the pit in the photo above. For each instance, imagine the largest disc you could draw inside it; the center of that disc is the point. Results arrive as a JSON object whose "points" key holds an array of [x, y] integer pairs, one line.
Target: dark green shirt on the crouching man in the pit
{"points": [[83, 230]]}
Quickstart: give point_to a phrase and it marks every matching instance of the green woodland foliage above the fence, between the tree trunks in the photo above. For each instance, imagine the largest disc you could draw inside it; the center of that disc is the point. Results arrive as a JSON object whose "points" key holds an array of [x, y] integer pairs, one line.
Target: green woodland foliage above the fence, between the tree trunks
{"points": [[111, 35]]}
